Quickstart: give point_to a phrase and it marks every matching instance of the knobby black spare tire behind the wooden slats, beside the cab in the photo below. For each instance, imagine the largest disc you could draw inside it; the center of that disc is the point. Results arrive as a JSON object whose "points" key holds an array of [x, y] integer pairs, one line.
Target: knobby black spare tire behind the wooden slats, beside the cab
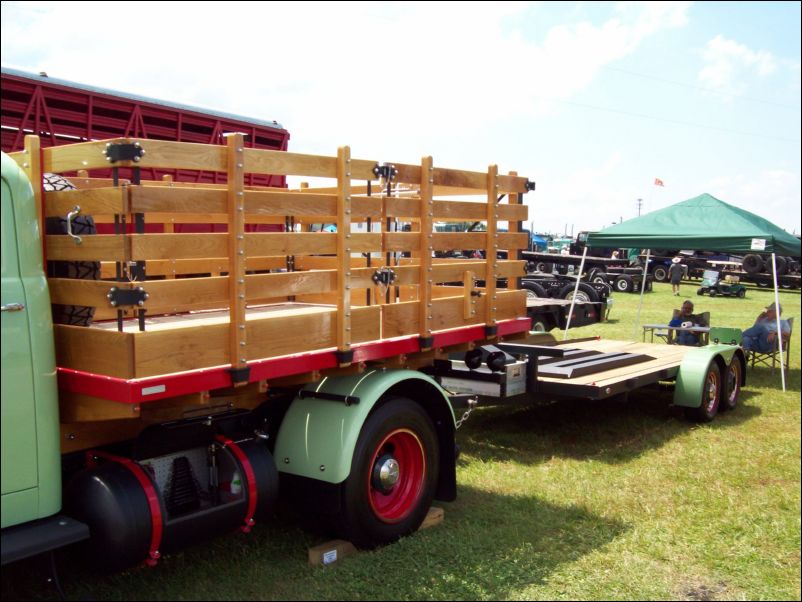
{"points": [[82, 225]]}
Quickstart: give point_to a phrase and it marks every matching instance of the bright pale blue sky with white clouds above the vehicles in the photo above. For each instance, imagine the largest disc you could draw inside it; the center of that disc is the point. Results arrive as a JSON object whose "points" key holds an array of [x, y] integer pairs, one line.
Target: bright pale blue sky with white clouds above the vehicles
{"points": [[591, 100]]}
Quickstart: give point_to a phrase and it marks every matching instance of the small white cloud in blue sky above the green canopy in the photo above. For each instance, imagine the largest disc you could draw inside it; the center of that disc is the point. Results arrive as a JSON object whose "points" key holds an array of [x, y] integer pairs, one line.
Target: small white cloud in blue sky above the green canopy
{"points": [[728, 64]]}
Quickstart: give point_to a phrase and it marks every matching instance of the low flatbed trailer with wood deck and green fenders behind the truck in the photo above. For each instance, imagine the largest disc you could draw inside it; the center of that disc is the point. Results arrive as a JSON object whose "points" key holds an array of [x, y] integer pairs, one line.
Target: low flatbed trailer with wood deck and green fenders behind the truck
{"points": [[706, 380]]}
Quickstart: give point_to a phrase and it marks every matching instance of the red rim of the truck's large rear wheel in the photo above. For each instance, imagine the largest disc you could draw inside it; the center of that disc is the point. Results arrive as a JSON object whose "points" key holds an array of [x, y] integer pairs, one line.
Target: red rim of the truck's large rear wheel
{"points": [[393, 503]]}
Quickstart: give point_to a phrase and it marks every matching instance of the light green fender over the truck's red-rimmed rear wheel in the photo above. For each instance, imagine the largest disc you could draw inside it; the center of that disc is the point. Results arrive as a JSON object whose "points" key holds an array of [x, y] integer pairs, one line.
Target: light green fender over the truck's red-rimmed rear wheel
{"points": [[317, 437]]}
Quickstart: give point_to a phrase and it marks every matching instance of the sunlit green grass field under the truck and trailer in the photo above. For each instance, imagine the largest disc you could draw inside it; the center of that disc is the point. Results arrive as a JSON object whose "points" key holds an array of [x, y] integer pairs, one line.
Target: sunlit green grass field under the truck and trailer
{"points": [[621, 499]]}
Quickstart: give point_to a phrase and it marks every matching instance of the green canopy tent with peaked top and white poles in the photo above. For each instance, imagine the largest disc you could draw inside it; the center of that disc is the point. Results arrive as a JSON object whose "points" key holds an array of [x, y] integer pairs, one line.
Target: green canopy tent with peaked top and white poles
{"points": [[702, 223]]}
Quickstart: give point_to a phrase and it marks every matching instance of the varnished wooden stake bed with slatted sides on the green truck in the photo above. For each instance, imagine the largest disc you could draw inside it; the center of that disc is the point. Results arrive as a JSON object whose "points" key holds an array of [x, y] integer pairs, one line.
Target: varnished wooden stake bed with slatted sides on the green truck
{"points": [[265, 281]]}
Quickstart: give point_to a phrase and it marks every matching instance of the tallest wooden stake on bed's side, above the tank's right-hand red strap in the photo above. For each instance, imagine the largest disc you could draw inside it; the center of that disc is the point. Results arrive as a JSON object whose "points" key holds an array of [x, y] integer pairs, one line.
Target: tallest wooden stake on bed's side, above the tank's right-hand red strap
{"points": [[235, 157]]}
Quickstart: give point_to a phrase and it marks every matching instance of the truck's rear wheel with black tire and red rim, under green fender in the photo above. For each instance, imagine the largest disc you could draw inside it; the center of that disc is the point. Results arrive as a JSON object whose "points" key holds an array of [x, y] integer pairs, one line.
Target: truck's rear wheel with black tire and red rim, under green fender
{"points": [[398, 430]]}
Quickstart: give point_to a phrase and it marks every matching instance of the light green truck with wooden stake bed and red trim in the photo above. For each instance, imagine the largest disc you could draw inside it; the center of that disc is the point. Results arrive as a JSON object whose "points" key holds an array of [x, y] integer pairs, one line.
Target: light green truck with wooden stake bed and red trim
{"points": [[217, 370]]}
